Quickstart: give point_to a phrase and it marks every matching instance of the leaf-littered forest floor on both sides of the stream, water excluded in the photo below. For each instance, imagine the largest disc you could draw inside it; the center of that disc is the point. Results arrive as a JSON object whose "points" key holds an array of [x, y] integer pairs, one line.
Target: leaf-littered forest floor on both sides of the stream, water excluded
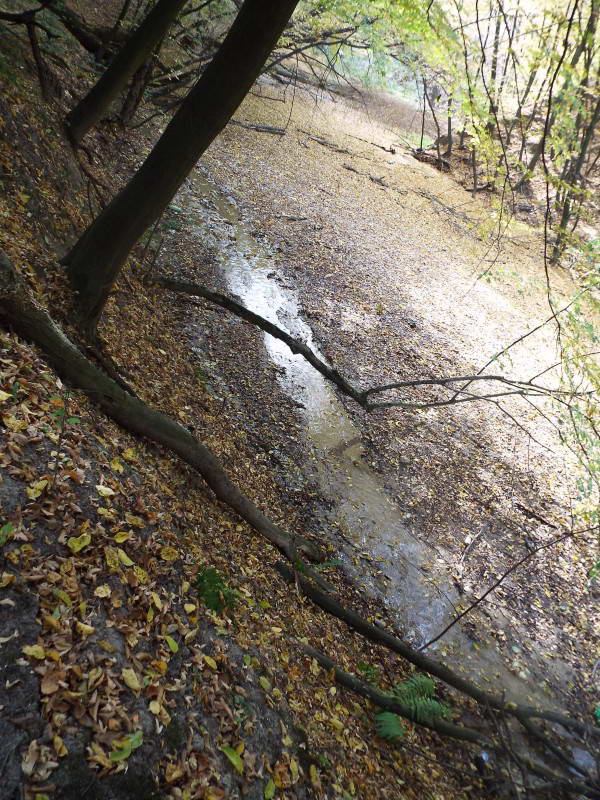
{"points": [[116, 678]]}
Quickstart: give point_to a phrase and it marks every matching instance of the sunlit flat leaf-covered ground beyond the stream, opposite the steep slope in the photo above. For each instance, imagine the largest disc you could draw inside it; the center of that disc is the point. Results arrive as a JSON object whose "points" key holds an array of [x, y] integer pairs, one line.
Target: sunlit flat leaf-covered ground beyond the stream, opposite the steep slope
{"points": [[399, 276]]}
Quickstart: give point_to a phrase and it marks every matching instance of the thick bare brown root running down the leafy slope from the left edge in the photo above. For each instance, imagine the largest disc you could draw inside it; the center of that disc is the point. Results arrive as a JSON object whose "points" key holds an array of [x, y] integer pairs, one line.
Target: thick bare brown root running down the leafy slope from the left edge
{"points": [[35, 324]]}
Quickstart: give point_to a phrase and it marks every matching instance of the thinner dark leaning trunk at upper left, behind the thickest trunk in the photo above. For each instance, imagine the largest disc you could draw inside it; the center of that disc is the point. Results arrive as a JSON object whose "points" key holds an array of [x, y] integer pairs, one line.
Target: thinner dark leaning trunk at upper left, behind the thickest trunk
{"points": [[130, 58]]}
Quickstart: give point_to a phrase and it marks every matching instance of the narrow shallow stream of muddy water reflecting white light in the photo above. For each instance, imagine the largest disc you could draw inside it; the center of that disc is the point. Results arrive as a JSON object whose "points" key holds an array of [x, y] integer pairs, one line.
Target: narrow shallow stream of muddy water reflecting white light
{"points": [[375, 544]]}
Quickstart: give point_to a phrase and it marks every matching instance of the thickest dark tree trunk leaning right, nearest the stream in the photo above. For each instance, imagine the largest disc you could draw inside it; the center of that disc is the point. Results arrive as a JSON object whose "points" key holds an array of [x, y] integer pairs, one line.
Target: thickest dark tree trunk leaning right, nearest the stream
{"points": [[96, 259]]}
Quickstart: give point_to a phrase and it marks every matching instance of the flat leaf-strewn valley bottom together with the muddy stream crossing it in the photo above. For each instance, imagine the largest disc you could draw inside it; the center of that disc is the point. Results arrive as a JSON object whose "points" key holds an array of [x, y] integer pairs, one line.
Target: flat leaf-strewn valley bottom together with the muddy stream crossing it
{"points": [[362, 486]]}
